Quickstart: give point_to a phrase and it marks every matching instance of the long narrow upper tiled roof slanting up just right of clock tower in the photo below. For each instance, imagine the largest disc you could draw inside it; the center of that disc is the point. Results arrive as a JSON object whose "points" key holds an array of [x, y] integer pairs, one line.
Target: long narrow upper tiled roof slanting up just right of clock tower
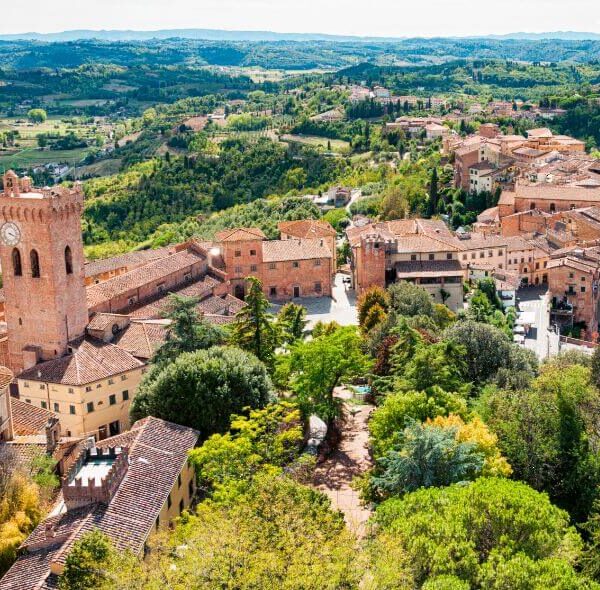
{"points": [[139, 277]]}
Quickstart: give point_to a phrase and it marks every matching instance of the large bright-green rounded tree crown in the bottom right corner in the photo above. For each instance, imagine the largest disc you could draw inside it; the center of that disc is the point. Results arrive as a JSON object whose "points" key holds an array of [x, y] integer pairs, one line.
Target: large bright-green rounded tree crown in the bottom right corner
{"points": [[475, 530]]}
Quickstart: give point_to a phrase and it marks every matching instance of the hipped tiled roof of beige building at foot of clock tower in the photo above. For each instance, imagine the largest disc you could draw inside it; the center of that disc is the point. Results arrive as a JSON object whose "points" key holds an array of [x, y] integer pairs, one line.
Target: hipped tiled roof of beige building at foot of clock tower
{"points": [[92, 360]]}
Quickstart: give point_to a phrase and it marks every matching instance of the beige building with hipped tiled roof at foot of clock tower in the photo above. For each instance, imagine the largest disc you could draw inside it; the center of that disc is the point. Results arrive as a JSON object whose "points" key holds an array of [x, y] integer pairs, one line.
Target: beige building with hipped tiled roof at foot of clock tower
{"points": [[90, 390]]}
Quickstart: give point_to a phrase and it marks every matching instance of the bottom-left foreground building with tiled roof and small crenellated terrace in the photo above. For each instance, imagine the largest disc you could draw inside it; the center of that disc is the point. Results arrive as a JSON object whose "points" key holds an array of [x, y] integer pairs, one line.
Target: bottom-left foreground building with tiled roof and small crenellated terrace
{"points": [[126, 486]]}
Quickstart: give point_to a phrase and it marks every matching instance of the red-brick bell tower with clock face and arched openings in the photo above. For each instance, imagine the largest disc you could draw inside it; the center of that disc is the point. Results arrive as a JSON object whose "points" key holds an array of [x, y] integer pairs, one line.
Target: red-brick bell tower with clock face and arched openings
{"points": [[41, 251]]}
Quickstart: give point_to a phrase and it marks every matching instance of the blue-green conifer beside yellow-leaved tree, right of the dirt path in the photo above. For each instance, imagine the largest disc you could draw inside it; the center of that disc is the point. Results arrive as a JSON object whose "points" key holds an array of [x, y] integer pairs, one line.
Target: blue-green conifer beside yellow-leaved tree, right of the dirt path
{"points": [[427, 456]]}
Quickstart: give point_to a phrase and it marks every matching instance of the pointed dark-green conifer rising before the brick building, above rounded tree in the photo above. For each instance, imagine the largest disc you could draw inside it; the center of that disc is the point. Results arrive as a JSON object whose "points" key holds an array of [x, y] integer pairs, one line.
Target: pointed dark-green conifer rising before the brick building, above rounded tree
{"points": [[255, 329]]}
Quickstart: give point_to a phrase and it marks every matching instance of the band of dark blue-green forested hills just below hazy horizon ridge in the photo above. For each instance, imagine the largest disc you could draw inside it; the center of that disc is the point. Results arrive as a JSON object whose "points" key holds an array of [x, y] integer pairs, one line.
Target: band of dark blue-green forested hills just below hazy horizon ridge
{"points": [[289, 54]]}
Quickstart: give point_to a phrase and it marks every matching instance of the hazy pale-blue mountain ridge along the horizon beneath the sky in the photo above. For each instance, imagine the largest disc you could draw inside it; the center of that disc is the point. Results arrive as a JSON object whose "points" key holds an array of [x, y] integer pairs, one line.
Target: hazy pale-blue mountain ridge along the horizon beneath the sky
{"points": [[222, 35]]}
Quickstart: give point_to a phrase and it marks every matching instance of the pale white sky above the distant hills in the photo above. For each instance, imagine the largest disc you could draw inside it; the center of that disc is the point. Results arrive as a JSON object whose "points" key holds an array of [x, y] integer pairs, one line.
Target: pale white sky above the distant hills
{"points": [[393, 18]]}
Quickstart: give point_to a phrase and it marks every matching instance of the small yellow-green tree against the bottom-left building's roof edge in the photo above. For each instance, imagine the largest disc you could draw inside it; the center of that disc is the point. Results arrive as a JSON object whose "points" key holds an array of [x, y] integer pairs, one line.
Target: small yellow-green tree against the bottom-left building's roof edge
{"points": [[87, 562]]}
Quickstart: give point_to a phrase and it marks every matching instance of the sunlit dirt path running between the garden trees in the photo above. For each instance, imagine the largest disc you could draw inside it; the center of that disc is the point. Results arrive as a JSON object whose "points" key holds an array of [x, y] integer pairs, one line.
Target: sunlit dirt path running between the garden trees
{"points": [[334, 476]]}
